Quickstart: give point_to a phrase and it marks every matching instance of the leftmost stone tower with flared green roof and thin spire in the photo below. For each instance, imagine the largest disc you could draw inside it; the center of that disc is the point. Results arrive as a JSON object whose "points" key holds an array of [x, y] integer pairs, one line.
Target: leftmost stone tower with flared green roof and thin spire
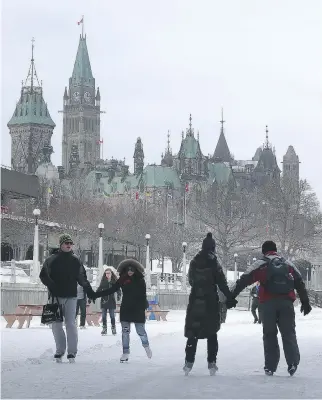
{"points": [[31, 126]]}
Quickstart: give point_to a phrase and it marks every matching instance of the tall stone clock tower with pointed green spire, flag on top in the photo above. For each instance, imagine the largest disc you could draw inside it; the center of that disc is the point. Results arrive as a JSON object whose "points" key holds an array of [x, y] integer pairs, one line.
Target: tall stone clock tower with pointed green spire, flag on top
{"points": [[81, 126]]}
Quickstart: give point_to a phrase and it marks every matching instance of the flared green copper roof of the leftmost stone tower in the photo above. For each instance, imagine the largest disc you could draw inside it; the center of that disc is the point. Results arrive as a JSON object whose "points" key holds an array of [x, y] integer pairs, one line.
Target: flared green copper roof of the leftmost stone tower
{"points": [[31, 109]]}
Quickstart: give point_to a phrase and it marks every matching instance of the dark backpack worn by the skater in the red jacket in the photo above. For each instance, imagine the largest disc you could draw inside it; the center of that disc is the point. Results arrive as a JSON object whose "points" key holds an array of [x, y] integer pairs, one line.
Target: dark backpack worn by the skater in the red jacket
{"points": [[279, 280]]}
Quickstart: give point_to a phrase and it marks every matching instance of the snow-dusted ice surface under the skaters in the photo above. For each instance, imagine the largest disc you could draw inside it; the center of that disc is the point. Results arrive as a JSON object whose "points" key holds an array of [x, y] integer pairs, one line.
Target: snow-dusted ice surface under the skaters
{"points": [[29, 372]]}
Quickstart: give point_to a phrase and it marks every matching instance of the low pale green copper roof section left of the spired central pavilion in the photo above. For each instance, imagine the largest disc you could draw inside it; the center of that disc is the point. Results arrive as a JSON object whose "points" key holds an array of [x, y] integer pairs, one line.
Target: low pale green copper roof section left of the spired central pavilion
{"points": [[159, 176]]}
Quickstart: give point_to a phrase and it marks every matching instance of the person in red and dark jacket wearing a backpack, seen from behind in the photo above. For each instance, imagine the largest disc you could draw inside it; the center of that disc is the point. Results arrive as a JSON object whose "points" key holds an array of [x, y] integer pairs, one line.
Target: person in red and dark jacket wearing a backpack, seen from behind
{"points": [[279, 278]]}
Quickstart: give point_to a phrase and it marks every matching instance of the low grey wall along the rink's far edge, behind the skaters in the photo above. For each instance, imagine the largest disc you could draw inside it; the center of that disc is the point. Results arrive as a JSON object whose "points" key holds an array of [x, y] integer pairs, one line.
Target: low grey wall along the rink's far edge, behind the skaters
{"points": [[13, 294]]}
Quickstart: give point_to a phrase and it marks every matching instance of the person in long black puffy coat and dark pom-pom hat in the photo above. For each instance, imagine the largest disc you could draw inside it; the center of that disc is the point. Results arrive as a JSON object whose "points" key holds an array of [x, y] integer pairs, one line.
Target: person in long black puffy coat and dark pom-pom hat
{"points": [[203, 311]]}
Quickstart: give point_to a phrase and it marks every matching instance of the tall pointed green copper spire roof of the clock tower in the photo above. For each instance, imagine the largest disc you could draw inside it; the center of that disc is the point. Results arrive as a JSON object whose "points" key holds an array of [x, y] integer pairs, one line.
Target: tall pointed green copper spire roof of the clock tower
{"points": [[82, 71]]}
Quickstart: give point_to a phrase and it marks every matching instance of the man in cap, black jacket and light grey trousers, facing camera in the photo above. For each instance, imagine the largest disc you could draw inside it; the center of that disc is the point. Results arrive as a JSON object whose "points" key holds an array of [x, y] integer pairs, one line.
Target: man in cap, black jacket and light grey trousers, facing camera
{"points": [[61, 272]]}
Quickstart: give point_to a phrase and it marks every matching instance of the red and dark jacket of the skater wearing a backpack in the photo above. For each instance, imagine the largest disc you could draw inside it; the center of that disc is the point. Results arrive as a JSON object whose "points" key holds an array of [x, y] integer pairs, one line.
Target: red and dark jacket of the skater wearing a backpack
{"points": [[258, 272]]}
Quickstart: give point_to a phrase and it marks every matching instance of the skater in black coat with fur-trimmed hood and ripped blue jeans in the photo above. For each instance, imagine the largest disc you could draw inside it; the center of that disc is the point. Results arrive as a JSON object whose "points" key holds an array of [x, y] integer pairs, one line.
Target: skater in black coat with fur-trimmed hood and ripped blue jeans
{"points": [[134, 303]]}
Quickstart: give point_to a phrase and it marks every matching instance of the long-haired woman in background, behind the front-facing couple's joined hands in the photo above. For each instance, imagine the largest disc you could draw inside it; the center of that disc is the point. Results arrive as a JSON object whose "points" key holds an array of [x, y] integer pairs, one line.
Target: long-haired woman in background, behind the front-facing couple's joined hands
{"points": [[108, 303]]}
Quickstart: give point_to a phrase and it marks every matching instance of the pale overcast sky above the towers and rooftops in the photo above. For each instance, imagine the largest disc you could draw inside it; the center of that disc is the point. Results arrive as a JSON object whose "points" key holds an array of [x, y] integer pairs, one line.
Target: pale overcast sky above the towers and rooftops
{"points": [[157, 61]]}
